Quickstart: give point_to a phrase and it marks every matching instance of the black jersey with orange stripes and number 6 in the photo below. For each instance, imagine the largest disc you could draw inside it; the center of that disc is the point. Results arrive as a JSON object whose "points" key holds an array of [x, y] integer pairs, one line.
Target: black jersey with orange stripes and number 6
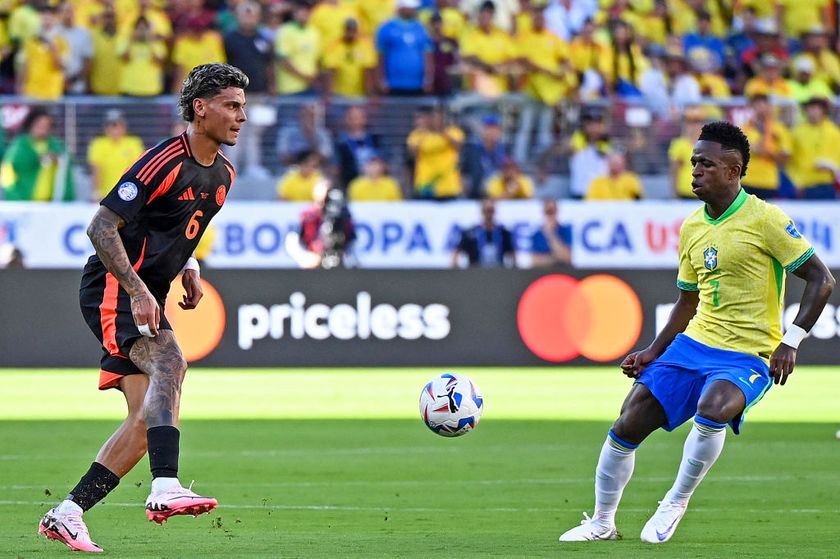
{"points": [[166, 199]]}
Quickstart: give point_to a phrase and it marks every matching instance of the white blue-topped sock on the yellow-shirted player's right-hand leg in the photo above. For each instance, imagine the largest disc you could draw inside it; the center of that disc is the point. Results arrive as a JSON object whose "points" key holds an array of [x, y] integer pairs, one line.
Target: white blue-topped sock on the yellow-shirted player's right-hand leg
{"points": [[702, 447]]}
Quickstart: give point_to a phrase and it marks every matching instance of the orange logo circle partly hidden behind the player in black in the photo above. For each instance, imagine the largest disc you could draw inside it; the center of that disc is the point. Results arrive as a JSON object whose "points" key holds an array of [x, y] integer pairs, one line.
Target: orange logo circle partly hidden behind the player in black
{"points": [[199, 331]]}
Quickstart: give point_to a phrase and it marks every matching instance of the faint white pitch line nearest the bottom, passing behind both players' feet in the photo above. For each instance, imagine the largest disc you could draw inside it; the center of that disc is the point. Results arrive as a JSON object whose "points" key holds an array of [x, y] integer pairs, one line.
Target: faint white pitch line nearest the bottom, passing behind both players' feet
{"points": [[382, 509]]}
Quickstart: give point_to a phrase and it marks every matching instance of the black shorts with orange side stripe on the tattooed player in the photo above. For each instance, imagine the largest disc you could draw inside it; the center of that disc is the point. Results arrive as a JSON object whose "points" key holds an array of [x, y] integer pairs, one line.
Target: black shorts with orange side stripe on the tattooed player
{"points": [[107, 311]]}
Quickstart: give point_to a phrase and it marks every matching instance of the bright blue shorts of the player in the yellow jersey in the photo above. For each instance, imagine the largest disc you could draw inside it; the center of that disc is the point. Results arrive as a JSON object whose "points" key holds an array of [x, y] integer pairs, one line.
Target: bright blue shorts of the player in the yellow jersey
{"points": [[679, 377]]}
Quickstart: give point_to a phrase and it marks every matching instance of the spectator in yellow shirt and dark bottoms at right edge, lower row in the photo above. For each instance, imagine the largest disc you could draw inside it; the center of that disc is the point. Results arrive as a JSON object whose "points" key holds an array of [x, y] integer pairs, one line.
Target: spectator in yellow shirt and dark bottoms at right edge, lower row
{"points": [[815, 159]]}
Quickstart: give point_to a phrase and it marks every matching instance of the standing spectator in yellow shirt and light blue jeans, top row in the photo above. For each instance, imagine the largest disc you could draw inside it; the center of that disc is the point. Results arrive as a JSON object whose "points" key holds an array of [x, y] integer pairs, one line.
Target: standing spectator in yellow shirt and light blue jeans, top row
{"points": [[548, 79]]}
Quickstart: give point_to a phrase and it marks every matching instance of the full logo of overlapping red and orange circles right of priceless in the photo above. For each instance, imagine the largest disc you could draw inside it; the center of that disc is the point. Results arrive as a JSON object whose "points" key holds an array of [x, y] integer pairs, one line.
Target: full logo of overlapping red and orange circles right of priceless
{"points": [[561, 318]]}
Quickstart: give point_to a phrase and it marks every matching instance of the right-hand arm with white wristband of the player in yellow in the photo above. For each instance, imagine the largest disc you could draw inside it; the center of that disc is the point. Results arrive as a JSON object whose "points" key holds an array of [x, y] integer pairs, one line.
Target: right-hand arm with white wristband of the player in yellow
{"points": [[819, 283]]}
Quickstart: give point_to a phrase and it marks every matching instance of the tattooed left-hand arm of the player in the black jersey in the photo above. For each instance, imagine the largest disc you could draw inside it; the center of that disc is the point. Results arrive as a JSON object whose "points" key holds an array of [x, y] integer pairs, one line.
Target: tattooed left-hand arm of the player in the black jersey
{"points": [[104, 234]]}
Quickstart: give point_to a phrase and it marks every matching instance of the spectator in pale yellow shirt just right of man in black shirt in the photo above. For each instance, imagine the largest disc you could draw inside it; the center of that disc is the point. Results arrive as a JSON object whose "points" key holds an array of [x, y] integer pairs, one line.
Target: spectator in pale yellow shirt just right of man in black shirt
{"points": [[297, 48]]}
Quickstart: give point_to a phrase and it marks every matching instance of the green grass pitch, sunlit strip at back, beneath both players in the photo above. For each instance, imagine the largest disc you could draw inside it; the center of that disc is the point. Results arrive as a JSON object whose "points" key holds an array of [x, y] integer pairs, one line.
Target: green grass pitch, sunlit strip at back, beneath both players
{"points": [[336, 463]]}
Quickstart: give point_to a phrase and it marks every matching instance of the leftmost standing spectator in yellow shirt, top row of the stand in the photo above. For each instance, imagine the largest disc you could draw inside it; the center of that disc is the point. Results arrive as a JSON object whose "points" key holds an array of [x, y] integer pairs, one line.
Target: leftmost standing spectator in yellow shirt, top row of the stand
{"points": [[43, 59]]}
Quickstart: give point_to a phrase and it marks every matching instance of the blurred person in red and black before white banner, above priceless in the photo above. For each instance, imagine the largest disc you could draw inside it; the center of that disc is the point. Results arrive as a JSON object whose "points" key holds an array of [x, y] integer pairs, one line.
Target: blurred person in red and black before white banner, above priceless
{"points": [[326, 234]]}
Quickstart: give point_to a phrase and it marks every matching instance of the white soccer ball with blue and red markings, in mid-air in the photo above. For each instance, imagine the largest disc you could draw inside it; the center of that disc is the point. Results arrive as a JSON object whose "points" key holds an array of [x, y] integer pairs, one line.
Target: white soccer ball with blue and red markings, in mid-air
{"points": [[451, 405]]}
